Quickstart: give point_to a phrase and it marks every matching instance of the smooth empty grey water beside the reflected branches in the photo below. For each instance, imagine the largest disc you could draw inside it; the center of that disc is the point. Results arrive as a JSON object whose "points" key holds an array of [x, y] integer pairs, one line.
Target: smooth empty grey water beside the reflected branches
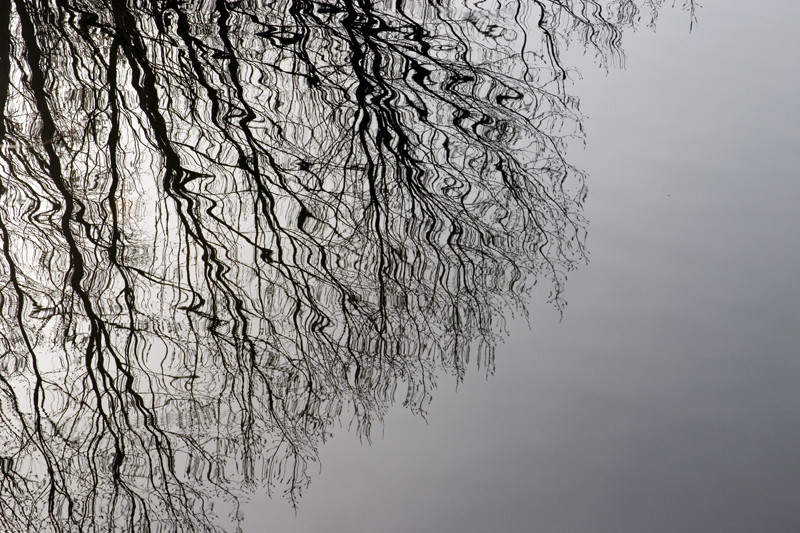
{"points": [[668, 397]]}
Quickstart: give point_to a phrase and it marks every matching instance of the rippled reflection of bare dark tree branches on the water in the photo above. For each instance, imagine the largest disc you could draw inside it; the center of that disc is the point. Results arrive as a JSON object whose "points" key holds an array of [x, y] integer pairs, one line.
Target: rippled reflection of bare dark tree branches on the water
{"points": [[226, 226]]}
